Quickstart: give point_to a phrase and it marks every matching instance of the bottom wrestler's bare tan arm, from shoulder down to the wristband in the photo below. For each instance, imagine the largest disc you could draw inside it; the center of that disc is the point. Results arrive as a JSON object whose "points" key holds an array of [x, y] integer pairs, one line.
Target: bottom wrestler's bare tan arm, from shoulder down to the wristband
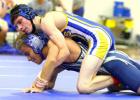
{"points": [[50, 63]]}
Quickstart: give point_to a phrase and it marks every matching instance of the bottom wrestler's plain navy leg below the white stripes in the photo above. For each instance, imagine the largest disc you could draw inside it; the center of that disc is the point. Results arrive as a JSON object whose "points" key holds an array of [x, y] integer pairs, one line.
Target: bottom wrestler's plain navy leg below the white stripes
{"points": [[126, 73]]}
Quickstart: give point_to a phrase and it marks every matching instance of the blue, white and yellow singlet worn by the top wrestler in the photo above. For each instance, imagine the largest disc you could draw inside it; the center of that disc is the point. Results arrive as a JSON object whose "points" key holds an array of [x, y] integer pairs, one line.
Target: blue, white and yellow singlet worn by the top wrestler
{"points": [[99, 38]]}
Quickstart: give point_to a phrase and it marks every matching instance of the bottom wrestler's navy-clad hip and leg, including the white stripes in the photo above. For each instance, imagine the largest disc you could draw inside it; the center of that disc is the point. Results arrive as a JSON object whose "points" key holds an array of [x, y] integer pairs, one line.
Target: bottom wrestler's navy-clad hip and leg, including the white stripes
{"points": [[126, 70]]}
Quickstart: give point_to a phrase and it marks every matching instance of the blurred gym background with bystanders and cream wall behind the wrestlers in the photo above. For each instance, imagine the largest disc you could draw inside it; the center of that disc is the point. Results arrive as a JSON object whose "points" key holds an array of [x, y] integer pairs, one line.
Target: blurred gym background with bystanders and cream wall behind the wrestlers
{"points": [[121, 16]]}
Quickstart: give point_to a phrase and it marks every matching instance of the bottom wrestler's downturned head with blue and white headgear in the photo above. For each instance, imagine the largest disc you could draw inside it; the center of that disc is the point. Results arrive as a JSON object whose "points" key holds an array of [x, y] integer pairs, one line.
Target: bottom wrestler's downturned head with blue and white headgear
{"points": [[31, 45]]}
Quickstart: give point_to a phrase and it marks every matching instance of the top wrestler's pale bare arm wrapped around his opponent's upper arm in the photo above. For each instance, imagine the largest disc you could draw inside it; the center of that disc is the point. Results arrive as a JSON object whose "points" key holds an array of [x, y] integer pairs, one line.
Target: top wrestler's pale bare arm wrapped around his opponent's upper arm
{"points": [[48, 25]]}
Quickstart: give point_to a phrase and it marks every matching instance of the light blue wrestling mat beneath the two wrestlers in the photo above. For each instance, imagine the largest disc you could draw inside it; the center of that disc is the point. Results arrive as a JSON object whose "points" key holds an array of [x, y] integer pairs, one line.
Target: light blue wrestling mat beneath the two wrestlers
{"points": [[17, 73]]}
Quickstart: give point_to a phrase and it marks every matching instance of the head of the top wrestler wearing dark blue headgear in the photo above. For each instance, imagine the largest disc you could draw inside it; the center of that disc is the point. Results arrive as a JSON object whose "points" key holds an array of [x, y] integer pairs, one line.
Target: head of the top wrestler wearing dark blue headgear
{"points": [[22, 17]]}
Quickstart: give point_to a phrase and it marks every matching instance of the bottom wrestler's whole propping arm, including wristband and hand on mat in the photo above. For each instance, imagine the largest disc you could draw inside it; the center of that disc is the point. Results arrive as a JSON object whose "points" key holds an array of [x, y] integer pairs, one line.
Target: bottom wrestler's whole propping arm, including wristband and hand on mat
{"points": [[46, 78]]}
